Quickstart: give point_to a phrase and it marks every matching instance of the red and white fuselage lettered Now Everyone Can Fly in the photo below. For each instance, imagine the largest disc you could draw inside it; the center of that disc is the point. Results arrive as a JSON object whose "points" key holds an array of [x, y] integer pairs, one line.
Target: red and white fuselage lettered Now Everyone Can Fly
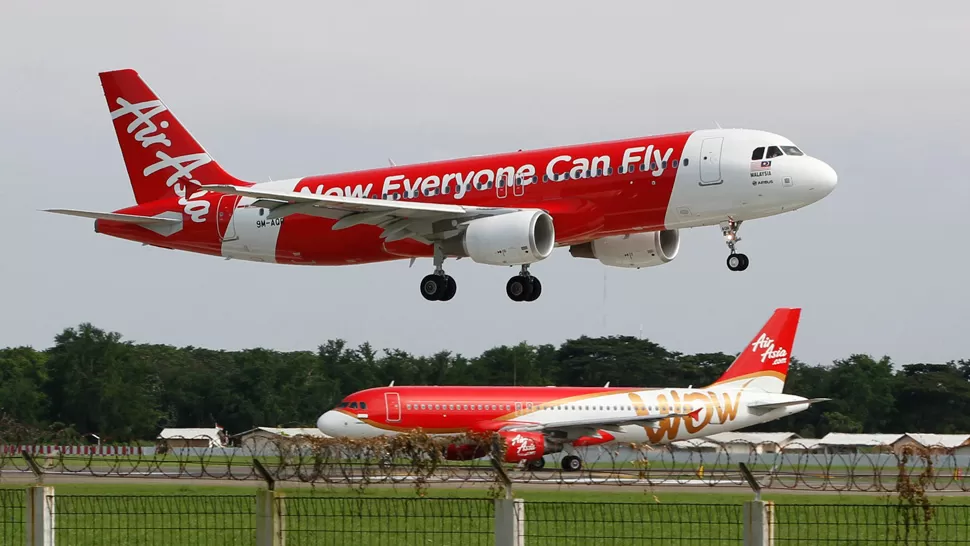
{"points": [[592, 191]]}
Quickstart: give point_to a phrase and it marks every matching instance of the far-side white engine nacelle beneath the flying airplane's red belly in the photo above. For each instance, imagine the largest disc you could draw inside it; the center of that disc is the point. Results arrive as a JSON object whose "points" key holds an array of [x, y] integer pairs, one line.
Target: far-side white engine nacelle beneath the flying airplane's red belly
{"points": [[634, 250]]}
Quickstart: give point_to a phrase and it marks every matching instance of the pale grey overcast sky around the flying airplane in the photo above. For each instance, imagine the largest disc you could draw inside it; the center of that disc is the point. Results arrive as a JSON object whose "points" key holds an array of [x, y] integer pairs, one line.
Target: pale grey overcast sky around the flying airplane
{"points": [[288, 89]]}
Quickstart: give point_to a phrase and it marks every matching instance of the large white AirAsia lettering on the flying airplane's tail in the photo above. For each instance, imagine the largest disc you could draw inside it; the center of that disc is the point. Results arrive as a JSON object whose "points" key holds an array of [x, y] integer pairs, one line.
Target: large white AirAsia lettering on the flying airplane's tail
{"points": [[149, 134]]}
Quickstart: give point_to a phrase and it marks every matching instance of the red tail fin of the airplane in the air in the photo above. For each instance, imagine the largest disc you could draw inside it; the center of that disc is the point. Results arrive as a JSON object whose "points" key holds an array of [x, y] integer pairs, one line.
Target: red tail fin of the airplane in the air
{"points": [[161, 156]]}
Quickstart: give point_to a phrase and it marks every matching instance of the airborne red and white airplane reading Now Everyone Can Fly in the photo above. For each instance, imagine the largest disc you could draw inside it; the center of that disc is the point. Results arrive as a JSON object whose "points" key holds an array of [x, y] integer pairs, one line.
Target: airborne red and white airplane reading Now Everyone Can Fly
{"points": [[621, 202]]}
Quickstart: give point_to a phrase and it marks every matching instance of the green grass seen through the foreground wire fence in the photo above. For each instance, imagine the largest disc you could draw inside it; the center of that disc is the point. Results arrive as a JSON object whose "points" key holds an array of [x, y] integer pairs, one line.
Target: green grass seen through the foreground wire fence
{"points": [[170, 513]]}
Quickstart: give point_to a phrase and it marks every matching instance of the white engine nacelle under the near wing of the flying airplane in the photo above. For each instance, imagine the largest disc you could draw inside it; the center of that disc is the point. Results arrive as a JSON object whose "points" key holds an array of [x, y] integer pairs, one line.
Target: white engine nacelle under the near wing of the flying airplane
{"points": [[514, 238]]}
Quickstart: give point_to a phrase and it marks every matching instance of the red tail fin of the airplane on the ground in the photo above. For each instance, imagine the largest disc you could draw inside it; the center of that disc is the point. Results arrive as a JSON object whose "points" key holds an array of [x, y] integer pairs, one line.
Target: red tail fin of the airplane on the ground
{"points": [[763, 364]]}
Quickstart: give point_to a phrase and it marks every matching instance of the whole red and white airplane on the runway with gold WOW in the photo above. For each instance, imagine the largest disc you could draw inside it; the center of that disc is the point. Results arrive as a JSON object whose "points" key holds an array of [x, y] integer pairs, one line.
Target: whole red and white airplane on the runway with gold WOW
{"points": [[536, 421]]}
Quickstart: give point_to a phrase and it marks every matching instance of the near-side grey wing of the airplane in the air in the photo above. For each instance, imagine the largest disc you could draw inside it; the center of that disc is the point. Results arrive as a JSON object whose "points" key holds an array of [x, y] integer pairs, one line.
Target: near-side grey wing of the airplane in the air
{"points": [[400, 219]]}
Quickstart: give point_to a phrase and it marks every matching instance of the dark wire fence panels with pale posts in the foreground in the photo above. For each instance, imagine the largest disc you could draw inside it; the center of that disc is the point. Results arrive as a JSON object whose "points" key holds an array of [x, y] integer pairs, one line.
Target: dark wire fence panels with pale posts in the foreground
{"points": [[271, 518]]}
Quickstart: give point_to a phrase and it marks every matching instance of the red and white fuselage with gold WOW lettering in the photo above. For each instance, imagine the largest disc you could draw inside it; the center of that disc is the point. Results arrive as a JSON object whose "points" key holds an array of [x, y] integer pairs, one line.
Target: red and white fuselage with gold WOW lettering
{"points": [[456, 410]]}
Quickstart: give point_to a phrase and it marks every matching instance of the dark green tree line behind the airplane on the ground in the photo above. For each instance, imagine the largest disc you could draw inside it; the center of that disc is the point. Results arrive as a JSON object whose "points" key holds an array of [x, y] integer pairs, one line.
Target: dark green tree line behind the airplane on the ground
{"points": [[93, 381]]}
